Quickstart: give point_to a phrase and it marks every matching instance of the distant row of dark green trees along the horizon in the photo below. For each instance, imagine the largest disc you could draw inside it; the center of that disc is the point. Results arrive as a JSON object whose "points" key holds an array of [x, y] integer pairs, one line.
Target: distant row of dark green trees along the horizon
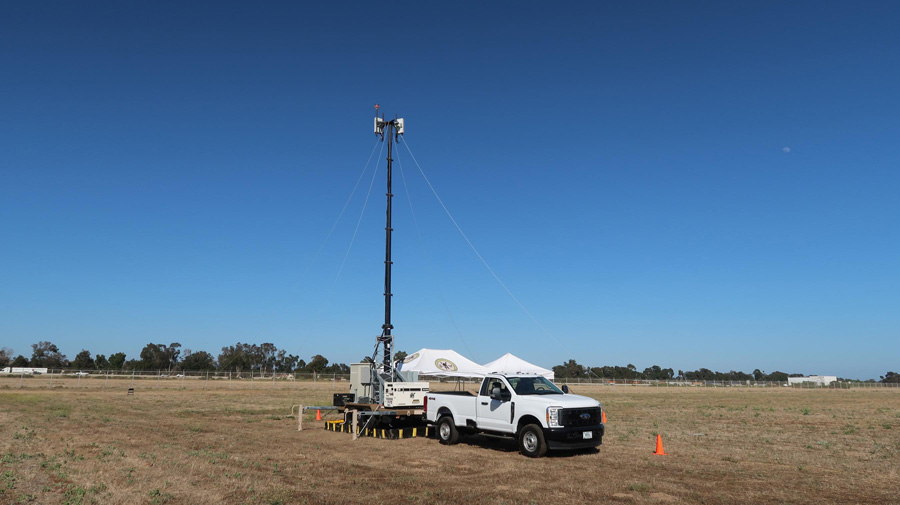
{"points": [[266, 357]]}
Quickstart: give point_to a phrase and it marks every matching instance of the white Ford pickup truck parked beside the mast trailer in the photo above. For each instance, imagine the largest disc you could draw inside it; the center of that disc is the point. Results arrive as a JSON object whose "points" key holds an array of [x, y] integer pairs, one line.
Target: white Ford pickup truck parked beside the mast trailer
{"points": [[528, 407]]}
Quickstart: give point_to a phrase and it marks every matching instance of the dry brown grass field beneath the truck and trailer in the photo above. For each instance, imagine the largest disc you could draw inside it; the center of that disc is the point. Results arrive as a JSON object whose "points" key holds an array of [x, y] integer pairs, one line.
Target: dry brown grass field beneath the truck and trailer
{"points": [[82, 443]]}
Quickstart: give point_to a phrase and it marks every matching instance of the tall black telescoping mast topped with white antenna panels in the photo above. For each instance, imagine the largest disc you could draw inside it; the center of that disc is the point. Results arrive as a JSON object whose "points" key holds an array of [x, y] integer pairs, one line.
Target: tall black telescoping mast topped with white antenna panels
{"points": [[392, 129]]}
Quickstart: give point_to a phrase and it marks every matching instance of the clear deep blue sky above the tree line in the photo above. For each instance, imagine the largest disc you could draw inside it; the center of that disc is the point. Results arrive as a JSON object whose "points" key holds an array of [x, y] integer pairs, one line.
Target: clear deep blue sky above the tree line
{"points": [[688, 184]]}
